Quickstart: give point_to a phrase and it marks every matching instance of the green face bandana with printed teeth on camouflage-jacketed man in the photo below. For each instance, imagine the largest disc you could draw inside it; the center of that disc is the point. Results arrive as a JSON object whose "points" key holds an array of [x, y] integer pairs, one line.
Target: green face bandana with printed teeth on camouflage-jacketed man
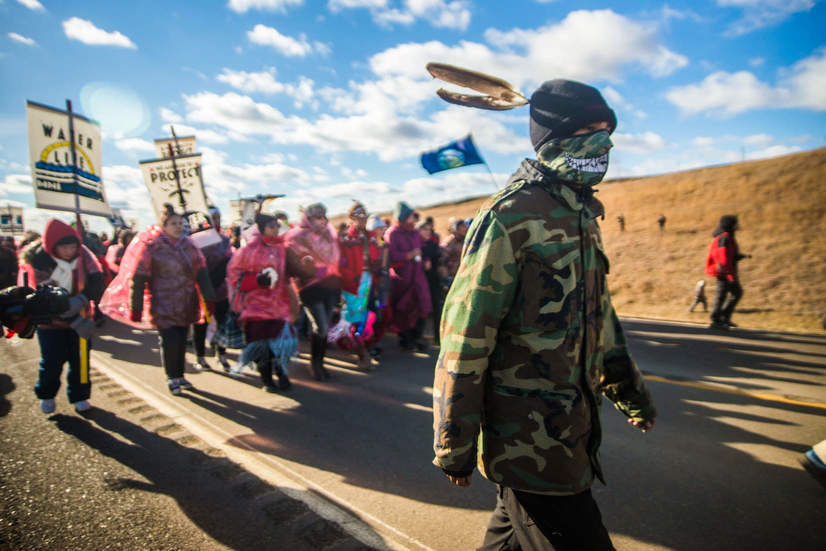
{"points": [[579, 159]]}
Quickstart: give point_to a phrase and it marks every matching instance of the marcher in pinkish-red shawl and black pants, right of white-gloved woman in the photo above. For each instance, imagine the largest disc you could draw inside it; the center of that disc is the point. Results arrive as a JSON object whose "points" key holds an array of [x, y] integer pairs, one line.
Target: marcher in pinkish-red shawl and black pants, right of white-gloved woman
{"points": [[315, 240]]}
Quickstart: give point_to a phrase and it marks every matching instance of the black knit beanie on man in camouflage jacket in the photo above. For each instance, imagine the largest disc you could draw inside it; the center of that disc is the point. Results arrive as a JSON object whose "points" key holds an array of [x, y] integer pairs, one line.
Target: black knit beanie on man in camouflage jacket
{"points": [[561, 107]]}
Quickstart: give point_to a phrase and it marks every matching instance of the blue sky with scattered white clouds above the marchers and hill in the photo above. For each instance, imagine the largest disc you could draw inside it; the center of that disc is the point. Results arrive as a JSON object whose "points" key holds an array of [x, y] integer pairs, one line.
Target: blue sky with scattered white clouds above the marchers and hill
{"points": [[328, 100]]}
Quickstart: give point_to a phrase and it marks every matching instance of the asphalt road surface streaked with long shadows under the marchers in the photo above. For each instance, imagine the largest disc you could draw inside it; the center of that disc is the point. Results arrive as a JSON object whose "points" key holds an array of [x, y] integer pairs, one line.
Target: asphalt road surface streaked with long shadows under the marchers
{"points": [[719, 471]]}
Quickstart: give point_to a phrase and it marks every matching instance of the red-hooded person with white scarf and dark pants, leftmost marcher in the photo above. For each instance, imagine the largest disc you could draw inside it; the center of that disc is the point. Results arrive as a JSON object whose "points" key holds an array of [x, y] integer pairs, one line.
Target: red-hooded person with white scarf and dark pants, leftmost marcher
{"points": [[60, 259]]}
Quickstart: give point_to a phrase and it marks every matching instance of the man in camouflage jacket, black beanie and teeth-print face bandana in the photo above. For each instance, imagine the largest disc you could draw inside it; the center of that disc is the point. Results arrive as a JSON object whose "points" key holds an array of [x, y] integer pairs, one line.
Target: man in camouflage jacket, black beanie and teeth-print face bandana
{"points": [[530, 339]]}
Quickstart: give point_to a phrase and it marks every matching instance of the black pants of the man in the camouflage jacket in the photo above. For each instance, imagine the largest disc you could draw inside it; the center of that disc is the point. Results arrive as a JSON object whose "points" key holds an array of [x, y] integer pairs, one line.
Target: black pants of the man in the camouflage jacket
{"points": [[533, 522]]}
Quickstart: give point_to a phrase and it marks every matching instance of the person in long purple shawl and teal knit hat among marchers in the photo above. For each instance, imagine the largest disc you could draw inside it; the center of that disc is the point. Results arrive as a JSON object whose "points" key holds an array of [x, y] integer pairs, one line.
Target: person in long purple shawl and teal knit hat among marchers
{"points": [[409, 293]]}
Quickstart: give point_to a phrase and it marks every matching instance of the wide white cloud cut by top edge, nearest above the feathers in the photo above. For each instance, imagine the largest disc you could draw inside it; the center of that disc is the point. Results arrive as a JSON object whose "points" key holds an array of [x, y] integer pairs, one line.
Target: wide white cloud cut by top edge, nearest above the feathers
{"points": [[447, 14]]}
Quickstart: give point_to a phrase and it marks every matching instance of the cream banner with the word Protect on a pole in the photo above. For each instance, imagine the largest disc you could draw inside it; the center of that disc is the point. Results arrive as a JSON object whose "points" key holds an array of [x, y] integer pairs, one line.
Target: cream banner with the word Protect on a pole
{"points": [[189, 199]]}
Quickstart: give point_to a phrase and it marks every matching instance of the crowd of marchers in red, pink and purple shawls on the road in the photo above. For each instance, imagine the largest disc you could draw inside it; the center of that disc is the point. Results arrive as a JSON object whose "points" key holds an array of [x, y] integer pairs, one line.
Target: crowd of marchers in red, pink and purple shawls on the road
{"points": [[273, 284]]}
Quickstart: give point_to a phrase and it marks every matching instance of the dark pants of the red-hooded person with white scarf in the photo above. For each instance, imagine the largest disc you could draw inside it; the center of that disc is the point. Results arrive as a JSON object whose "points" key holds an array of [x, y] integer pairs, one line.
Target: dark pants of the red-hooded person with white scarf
{"points": [[57, 347]]}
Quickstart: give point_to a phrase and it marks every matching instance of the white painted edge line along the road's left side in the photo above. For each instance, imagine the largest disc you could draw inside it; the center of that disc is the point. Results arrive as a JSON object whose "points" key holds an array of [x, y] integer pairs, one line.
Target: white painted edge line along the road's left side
{"points": [[267, 467]]}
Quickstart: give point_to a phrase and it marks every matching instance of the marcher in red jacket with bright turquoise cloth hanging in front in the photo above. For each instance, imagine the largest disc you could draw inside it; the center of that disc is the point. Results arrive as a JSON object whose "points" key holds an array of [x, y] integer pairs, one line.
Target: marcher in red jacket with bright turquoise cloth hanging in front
{"points": [[359, 266]]}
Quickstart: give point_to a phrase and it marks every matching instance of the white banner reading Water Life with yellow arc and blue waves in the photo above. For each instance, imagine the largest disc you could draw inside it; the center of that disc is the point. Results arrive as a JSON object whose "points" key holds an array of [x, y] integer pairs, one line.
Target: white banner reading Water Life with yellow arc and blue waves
{"points": [[58, 183]]}
